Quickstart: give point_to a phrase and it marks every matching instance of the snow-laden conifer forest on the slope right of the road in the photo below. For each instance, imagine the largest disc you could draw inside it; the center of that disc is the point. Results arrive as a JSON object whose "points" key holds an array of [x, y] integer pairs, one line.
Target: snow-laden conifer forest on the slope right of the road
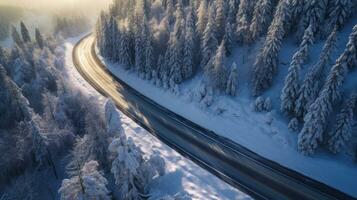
{"points": [[172, 41]]}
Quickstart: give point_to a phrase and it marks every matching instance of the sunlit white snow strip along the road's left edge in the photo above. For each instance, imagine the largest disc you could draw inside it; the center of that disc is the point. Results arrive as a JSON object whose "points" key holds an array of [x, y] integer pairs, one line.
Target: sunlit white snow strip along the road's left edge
{"points": [[182, 175]]}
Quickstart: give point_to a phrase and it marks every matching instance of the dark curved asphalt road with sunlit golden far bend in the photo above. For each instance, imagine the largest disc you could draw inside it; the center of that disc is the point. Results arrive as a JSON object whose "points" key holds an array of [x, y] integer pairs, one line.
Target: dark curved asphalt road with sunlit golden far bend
{"points": [[240, 167]]}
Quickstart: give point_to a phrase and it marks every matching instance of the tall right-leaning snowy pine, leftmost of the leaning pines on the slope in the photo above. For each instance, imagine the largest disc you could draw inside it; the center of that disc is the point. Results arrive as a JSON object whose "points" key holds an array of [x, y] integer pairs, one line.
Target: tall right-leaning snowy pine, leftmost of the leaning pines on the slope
{"points": [[266, 63]]}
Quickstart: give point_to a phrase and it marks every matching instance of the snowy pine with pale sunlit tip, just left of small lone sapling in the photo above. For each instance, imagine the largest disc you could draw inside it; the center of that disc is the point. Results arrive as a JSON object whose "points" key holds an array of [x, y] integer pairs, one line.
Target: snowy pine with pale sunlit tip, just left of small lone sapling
{"points": [[216, 70]]}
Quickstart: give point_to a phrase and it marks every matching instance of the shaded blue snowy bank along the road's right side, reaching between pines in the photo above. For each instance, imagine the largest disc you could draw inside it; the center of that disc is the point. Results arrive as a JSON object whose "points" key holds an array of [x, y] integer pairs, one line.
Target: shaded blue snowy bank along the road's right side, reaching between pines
{"points": [[264, 133]]}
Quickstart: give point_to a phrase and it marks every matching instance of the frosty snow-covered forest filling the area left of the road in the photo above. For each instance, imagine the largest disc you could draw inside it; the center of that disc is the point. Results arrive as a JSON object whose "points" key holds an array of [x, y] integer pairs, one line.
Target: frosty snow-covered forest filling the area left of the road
{"points": [[51, 131]]}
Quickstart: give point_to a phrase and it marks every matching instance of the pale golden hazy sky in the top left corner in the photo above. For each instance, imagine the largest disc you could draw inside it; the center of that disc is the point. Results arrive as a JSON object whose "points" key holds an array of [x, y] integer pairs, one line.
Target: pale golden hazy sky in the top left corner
{"points": [[58, 5]]}
